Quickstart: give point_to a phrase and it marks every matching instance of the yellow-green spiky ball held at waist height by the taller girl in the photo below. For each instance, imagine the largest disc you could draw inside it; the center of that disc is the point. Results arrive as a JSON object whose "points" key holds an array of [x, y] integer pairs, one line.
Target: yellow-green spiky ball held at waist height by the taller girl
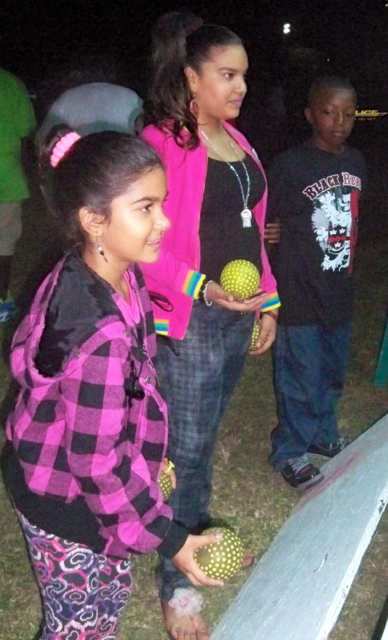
{"points": [[241, 278]]}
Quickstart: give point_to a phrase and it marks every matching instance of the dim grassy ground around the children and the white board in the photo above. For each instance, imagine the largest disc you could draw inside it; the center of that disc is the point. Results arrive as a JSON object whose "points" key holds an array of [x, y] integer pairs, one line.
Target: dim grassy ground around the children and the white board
{"points": [[253, 499]]}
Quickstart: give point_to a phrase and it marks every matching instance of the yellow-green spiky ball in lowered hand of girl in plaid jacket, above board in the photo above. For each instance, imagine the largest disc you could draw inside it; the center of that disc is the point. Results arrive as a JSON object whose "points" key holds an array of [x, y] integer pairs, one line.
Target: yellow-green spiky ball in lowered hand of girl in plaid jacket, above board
{"points": [[221, 559]]}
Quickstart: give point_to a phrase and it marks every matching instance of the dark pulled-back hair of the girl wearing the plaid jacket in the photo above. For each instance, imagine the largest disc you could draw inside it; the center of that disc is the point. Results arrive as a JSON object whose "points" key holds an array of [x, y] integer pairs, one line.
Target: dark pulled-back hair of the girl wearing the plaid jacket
{"points": [[95, 170]]}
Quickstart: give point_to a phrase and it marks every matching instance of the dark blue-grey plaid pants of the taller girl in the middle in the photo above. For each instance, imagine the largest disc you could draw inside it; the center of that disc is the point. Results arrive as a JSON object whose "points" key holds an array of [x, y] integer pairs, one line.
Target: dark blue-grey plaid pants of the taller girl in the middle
{"points": [[198, 375]]}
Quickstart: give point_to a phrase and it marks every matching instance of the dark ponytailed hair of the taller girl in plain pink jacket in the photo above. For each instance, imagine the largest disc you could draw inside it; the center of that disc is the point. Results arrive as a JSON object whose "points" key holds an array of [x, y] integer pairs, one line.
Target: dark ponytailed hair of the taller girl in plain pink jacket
{"points": [[179, 41]]}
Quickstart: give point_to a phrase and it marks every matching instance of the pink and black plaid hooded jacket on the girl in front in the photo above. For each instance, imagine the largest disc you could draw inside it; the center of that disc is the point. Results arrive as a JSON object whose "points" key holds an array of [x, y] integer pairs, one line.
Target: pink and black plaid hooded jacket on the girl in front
{"points": [[77, 434]]}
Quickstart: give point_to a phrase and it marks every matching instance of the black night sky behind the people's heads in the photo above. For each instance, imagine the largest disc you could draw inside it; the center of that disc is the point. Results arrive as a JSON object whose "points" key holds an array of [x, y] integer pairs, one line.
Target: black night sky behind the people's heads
{"points": [[40, 40]]}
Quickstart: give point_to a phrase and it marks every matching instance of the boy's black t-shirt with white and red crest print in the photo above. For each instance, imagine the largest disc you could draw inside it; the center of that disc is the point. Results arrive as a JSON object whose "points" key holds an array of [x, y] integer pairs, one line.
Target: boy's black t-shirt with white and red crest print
{"points": [[315, 195]]}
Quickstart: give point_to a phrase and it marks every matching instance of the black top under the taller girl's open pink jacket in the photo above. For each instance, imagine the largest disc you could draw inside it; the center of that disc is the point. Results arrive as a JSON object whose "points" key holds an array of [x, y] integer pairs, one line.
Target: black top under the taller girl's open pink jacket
{"points": [[222, 235]]}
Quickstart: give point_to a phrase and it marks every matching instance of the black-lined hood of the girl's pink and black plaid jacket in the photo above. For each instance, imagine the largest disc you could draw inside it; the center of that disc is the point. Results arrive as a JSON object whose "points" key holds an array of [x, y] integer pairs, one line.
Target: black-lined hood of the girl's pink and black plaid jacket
{"points": [[83, 305]]}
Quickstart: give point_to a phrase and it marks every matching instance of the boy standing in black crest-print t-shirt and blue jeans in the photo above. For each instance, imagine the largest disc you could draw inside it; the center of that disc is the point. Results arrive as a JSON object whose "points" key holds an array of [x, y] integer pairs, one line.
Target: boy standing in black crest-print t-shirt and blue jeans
{"points": [[314, 191]]}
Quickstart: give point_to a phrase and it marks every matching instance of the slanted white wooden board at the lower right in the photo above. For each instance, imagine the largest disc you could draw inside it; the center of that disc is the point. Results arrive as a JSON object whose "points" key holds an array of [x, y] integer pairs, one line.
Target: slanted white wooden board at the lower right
{"points": [[299, 586]]}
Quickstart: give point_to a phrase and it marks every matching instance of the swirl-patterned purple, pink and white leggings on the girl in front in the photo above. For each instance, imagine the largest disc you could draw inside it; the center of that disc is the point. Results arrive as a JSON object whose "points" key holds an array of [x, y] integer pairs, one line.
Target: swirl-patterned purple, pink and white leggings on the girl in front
{"points": [[83, 593]]}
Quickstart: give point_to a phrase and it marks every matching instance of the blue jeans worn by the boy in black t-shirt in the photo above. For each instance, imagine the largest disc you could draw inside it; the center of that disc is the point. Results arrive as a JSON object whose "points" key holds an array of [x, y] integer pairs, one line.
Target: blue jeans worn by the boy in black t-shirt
{"points": [[310, 365]]}
